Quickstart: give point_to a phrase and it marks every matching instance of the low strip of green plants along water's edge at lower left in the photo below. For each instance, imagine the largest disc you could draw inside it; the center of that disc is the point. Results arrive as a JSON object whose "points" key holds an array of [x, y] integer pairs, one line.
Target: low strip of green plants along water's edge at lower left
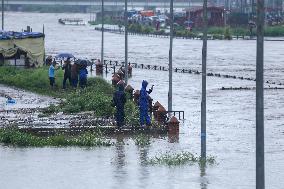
{"points": [[12, 136]]}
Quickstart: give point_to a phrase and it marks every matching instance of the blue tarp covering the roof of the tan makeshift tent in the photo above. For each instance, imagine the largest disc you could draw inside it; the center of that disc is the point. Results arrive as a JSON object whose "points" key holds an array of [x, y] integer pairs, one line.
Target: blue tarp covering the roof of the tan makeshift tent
{"points": [[4, 35]]}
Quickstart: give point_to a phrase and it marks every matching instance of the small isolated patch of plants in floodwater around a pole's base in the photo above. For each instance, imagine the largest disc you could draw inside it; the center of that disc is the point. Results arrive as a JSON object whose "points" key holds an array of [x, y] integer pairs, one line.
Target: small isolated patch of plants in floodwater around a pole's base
{"points": [[178, 159]]}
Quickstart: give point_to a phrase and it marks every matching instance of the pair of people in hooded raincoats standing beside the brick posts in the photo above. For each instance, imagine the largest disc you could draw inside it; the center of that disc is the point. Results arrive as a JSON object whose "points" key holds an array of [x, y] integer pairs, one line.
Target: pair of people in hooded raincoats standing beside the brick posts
{"points": [[119, 100]]}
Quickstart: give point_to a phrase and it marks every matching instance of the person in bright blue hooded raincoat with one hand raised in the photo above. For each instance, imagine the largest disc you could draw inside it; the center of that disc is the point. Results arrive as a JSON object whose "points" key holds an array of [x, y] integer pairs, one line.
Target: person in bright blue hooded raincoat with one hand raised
{"points": [[143, 104]]}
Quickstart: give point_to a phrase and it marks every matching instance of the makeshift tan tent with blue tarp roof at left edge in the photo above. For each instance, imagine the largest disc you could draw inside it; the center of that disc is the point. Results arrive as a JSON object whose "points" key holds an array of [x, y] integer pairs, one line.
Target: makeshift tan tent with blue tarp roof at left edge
{"points": [[31, 43]]}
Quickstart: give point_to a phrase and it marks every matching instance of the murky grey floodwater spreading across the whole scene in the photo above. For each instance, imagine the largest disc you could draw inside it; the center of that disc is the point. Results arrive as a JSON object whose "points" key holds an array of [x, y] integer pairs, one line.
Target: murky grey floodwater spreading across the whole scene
{"points": [[230, 118]]}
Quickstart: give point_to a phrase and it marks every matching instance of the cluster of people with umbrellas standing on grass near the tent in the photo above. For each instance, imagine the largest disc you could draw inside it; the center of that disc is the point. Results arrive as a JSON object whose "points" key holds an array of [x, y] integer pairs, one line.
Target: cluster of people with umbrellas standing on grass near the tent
{"points": [[74, 73]]}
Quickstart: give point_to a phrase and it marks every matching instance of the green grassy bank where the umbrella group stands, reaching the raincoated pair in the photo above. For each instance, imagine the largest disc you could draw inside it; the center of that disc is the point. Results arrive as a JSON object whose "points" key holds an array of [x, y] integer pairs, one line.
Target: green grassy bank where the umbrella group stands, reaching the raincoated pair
{"points": [[96, 97]]}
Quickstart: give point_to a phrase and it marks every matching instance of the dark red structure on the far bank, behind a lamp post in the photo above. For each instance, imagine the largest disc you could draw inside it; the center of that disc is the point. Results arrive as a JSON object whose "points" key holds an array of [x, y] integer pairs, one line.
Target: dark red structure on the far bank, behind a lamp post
{"points": [[215, 16]]}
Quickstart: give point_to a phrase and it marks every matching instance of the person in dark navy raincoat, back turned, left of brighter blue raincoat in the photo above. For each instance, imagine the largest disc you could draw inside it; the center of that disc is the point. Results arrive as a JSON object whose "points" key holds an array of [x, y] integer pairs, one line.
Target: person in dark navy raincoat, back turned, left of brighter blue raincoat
{"points": [[119, 99]]}
